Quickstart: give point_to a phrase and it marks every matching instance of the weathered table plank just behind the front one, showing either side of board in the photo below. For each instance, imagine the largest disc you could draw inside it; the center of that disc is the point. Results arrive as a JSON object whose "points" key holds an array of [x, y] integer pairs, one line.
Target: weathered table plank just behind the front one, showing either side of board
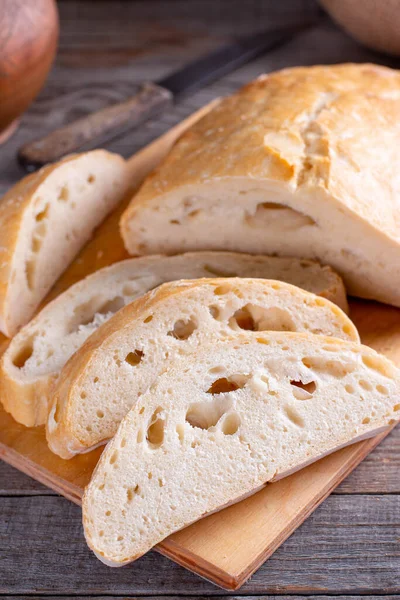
{"points": [[378, 473]]}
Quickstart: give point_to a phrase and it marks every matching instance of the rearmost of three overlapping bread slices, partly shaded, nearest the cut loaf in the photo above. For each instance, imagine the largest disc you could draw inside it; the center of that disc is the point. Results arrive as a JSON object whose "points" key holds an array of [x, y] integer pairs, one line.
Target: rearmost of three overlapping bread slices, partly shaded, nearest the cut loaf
{"points": [[38, 352]]}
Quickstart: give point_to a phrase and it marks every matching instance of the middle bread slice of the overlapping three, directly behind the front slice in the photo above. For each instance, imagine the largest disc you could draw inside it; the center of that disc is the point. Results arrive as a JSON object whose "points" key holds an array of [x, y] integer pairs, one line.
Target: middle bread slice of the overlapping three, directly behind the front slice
{"points": [[117, 363]]}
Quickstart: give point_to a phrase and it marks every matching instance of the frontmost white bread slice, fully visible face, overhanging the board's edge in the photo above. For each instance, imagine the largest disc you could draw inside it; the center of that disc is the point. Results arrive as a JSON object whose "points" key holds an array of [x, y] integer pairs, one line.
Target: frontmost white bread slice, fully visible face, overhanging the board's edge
{"points": [[222, 422]]}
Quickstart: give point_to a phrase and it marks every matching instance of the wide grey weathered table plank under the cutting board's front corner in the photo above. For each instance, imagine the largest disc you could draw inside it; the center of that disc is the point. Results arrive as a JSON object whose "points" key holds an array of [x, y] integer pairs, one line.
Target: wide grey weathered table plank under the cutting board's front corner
{"points": [[350, 545]]}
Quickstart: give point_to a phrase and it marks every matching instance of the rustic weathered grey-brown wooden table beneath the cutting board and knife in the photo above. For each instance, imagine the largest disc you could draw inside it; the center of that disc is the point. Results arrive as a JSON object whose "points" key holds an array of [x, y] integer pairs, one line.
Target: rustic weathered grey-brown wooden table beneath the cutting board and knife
{"points": [[351, 545]]}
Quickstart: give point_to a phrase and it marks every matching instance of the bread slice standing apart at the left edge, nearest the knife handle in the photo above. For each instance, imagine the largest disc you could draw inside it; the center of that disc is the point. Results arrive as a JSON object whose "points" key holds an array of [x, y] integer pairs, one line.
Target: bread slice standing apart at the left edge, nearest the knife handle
{"points": [[45, 220]]}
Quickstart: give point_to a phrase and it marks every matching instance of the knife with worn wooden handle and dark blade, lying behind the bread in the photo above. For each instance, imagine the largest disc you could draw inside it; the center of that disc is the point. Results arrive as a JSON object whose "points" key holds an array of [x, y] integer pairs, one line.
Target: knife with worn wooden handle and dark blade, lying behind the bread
{"points": [[150, 100]]}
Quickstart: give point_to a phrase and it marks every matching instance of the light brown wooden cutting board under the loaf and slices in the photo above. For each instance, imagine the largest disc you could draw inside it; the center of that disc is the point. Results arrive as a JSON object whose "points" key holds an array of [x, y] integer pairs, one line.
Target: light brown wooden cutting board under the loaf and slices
{"points": [[226, 547]]}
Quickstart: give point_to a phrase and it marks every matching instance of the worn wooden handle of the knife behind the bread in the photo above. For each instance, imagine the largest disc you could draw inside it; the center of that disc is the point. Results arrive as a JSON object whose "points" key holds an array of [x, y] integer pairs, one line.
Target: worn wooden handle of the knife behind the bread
{"points": [[149, 101]]}
